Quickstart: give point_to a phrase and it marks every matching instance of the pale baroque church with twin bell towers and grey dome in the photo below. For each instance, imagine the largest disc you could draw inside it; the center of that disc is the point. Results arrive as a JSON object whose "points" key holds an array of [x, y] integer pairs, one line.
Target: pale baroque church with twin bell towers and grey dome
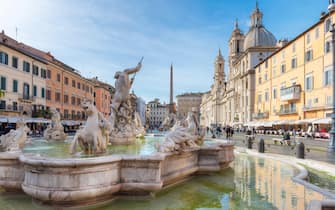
{"points": [[231, 99]]}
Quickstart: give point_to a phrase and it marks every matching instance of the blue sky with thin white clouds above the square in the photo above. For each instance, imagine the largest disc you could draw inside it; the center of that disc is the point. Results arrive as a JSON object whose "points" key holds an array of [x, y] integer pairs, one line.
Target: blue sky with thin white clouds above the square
{"points": [[100, 37]]}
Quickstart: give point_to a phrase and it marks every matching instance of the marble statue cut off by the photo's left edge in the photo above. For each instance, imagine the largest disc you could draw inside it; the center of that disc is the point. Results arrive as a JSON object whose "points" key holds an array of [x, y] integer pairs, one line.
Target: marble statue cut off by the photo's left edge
{"points": [[15, 139]]}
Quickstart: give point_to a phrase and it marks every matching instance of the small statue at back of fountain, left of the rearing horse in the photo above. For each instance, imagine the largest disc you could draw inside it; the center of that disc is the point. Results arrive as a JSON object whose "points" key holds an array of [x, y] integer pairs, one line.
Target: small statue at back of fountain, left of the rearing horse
{"points": [[55, 131]]}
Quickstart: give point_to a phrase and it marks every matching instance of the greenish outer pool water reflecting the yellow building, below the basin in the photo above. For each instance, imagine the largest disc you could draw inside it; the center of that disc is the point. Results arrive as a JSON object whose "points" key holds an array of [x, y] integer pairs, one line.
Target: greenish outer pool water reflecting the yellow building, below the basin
{"points": [[251, 183]]}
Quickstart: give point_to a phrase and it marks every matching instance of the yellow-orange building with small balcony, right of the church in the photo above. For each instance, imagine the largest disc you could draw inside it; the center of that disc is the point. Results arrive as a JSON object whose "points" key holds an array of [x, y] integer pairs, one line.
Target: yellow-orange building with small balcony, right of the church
{"points": [[294, 83]]}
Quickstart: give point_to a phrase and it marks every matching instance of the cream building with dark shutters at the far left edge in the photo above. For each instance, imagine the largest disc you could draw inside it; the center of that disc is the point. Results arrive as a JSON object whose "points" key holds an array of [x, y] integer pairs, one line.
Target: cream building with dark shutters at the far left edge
{"points": [[23, 79]]}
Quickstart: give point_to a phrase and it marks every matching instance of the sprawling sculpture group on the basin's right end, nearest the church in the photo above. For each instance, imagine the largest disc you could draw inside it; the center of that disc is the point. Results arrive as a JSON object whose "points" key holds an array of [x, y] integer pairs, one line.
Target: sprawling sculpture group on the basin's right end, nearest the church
{"points": [[184, 136]]}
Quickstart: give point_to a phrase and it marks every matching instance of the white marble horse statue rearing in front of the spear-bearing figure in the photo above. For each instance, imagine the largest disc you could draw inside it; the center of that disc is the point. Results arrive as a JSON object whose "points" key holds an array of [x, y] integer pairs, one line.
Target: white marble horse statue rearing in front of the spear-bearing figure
{"points": [[92, 138]]}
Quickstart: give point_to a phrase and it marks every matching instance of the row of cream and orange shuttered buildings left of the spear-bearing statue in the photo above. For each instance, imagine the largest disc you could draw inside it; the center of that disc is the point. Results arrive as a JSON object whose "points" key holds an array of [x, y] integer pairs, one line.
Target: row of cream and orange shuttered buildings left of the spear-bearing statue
{"points": [[34, 81]]}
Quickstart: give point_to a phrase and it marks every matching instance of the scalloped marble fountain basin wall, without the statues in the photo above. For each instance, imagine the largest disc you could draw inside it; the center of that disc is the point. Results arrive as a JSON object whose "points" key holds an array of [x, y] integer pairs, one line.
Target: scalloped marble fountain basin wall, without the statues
{"points": [[84, 181]]}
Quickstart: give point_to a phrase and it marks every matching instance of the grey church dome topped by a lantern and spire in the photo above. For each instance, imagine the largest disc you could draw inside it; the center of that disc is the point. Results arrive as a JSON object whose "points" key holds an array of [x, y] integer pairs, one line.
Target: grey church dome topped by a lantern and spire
{"points": [[258, 35]]}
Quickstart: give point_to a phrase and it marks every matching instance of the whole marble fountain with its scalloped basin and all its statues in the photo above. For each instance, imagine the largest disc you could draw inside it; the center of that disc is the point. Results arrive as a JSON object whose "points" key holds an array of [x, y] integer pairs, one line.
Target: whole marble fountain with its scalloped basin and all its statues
{"points": [[98, 176]]}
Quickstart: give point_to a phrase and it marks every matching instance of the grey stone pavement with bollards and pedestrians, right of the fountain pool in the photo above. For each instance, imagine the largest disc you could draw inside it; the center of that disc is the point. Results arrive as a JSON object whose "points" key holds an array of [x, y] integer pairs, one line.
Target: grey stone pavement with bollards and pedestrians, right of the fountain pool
{"points": [[314, 149]]}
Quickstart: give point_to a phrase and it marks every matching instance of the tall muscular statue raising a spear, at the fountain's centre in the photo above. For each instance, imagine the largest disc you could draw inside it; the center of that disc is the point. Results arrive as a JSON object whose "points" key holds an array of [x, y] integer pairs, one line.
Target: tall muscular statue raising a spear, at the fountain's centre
{"points": [[122, 122]]}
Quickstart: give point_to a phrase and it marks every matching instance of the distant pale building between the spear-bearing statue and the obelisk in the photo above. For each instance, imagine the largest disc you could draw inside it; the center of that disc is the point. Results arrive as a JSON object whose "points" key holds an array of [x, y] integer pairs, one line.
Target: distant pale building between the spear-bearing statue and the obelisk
{"points": [[157, 113]]}
